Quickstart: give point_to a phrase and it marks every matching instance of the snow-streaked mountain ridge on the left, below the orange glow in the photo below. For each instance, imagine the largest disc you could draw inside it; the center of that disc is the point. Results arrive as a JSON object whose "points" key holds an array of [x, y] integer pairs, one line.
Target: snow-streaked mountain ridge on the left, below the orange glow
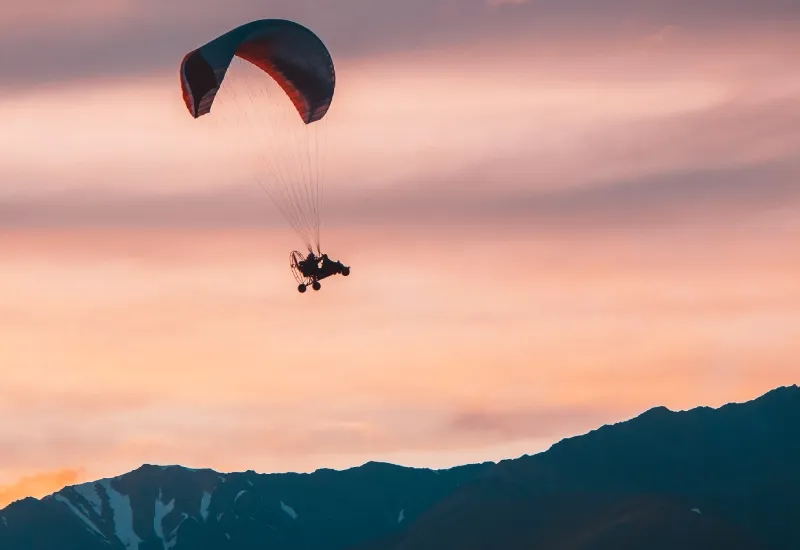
{"points": [[174, 508]]}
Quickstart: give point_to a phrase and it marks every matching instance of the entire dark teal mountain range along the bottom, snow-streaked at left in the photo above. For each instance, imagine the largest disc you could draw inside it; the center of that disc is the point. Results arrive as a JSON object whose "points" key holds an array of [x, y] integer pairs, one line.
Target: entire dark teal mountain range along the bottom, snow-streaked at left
{"points": [[723, 478]]}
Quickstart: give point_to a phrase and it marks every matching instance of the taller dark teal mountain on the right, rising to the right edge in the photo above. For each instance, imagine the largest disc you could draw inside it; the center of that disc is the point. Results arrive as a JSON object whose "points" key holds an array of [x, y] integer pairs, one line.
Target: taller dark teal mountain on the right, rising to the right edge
{"points": [[705, 479]]}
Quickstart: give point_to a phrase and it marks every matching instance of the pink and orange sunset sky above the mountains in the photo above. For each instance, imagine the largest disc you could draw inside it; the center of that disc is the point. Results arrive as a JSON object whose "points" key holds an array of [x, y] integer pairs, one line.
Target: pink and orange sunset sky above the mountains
{"points": [[558, 214]]}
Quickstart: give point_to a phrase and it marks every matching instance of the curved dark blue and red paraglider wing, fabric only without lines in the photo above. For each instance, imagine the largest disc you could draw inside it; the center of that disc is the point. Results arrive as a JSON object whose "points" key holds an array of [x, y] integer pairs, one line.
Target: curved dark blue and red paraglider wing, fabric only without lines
{"points": [[287, 51]]}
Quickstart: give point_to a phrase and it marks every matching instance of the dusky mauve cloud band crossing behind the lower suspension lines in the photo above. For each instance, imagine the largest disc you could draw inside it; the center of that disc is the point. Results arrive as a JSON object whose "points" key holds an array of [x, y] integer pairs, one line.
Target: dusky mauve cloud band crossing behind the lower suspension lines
{"points": [[712, 197]]}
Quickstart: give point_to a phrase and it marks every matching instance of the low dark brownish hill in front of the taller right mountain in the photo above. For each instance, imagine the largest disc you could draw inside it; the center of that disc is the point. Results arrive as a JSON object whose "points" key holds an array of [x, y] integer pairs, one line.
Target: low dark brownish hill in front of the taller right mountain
{"points": [[494, 513]]}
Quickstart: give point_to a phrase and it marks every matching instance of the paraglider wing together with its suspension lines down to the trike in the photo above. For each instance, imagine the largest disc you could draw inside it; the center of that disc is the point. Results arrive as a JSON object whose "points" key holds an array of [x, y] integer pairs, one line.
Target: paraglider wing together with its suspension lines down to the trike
{"points": [[269, 71]]}
